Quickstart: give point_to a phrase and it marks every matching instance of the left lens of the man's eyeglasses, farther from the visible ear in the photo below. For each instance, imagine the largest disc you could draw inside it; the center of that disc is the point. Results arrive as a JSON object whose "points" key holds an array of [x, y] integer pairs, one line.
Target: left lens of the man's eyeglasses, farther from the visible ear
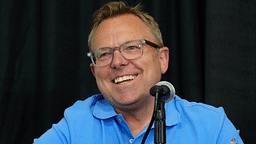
{"points": [[102, 56]]}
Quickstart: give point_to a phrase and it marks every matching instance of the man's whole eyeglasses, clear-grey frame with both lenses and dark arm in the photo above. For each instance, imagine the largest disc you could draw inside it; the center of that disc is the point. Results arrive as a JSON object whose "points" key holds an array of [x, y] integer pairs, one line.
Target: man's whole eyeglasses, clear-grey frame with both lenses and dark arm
{"points": [[130, 50]]}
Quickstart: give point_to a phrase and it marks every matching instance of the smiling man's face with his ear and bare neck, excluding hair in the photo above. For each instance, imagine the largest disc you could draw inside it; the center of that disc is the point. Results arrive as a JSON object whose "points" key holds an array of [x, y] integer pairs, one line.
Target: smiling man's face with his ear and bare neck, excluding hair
{"points": [[132, 69]]}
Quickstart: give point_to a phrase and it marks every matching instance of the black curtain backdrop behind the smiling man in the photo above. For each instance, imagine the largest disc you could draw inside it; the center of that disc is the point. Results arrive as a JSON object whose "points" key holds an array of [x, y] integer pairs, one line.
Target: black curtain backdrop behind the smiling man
{"points": [[44, 67]]}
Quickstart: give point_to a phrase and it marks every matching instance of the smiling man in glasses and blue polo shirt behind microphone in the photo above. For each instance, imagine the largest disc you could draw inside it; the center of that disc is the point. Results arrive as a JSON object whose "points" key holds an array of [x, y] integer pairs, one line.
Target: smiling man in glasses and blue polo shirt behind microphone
{"points": [[128, 58]]}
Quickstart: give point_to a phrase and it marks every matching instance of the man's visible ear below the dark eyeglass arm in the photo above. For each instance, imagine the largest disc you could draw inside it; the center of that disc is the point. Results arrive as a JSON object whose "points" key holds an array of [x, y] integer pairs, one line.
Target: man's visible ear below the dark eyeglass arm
{"points": [[164, 59]]}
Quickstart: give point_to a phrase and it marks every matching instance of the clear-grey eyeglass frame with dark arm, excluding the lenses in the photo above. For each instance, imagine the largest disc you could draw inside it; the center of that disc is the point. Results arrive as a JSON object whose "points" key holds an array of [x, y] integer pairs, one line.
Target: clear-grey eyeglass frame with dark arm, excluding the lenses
{"points": [[90, 54]]}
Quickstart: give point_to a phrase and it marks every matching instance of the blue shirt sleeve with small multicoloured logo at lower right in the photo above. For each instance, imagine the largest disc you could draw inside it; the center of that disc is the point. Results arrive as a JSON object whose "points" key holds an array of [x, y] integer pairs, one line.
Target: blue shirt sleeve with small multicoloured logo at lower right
{"points": [[228, 133]]}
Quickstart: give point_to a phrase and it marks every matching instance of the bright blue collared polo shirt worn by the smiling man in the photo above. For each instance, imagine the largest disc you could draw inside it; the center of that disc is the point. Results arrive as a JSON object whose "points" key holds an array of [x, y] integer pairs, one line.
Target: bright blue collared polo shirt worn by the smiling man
{"points": [[94, 121]]}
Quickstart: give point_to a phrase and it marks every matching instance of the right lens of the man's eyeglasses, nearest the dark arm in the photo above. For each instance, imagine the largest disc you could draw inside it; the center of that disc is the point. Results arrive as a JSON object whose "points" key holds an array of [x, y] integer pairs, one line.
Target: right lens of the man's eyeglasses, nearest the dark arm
{"points": [[132, 49]]}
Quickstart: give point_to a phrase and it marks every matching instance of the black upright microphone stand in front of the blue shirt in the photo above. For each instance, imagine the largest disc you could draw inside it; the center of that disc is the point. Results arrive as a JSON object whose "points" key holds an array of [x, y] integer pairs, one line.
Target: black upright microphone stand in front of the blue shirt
{"points": [[160, 125]]}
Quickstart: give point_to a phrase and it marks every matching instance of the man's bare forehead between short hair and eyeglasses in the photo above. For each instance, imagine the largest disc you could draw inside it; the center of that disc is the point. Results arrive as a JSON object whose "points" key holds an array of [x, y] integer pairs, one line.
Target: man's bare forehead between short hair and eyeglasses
{"points": [[114, 31]]}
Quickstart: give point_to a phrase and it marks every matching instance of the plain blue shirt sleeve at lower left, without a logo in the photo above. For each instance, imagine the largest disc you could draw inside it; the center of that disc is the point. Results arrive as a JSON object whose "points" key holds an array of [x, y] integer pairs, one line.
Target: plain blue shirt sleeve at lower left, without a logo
{"points": [[58, 134]]}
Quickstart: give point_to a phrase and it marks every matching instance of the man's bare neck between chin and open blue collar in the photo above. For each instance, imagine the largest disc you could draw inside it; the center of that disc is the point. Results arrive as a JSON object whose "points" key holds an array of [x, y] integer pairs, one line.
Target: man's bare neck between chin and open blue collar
{"points": [[138, 118]]}
